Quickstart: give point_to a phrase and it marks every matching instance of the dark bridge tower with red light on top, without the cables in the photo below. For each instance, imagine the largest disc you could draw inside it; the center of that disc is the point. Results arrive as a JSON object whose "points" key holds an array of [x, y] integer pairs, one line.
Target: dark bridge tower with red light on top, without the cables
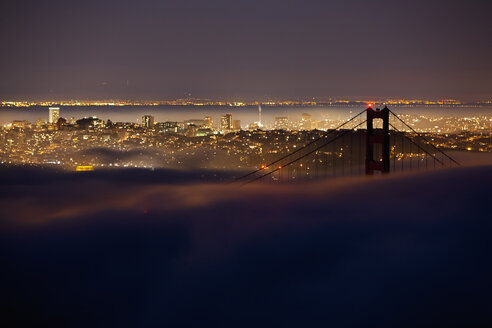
{"points": [[377, 136]]}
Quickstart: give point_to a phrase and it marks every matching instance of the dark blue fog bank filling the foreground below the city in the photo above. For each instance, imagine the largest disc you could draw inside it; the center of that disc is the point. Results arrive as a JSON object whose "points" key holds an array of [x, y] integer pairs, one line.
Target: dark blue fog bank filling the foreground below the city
{"points": [[408, 251]]}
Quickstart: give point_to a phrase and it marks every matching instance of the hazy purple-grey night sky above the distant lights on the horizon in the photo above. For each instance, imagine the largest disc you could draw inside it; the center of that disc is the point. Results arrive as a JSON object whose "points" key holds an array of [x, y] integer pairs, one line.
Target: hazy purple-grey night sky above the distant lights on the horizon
{"points": [[252, 49]]}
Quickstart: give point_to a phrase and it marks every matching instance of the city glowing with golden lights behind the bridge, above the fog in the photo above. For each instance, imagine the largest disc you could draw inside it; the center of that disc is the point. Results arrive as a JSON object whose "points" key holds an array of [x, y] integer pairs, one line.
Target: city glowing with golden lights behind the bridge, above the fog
{"points": [[88, 143]]}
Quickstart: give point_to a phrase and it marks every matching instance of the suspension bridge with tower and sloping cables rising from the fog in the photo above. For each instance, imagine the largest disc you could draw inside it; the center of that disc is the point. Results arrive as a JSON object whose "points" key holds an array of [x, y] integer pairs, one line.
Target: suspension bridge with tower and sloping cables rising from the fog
{"points": [[375, 141]]}
